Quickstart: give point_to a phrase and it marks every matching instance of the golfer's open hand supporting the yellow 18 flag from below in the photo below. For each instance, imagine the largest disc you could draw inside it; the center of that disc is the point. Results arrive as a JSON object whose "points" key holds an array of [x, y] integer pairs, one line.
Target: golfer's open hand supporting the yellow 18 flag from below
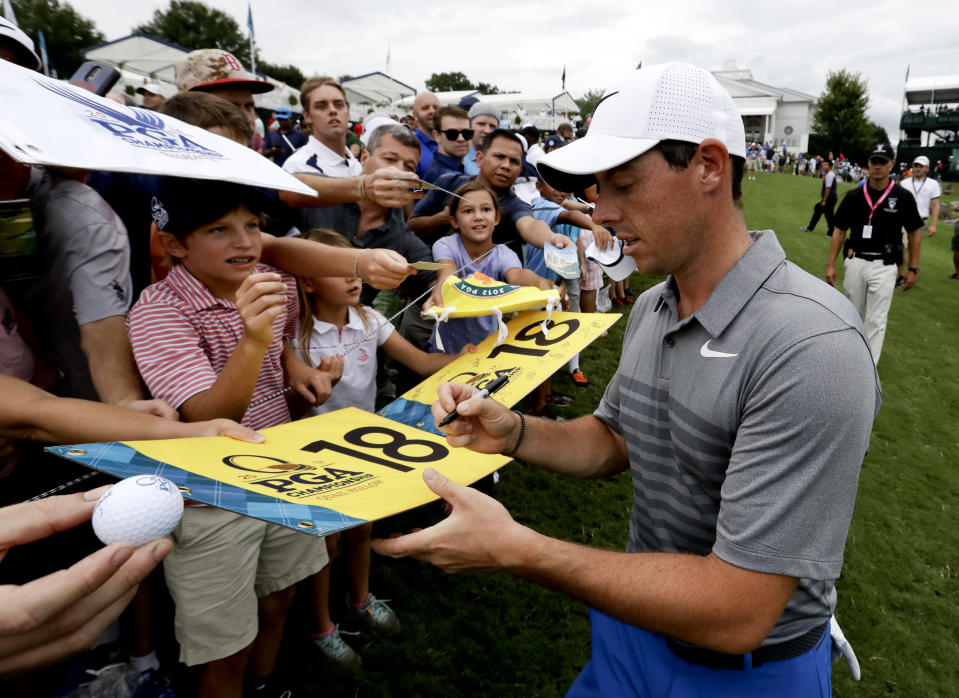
{"points": [[473, 538]]}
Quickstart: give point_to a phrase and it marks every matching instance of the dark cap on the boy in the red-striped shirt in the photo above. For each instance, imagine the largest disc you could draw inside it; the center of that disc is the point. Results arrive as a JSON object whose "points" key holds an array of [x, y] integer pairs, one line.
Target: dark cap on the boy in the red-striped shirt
{"points": [[183, 205]]}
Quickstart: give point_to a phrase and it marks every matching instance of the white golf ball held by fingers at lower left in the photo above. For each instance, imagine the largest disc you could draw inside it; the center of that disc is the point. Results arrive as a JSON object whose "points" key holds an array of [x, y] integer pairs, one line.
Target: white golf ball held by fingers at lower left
{"points": [[137, 510]]}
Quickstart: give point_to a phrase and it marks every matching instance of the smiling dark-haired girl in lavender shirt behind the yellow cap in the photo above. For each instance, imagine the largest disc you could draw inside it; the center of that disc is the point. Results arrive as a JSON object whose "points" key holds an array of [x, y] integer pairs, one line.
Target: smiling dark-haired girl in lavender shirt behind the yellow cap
{"points": [[474, 217]]}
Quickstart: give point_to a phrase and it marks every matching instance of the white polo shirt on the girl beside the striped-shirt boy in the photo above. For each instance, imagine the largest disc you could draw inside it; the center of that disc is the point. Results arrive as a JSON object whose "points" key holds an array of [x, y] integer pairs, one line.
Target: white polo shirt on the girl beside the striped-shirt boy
{"points": [[357, 387]]}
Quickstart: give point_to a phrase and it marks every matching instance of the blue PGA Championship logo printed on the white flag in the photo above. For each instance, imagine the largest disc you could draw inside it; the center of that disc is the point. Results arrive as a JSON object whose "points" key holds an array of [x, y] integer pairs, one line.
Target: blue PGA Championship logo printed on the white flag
{"points": [[144, 129]]}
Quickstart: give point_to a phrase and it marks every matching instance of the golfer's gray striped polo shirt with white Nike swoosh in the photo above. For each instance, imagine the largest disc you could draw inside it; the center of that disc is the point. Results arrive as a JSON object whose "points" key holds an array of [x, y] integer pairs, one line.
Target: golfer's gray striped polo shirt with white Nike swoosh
{"points": [[746, 425]]}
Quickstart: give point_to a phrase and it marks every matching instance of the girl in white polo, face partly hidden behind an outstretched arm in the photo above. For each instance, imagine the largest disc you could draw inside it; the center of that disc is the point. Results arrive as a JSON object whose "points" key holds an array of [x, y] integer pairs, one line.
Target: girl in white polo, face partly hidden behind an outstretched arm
{"points": [[333, 323]]}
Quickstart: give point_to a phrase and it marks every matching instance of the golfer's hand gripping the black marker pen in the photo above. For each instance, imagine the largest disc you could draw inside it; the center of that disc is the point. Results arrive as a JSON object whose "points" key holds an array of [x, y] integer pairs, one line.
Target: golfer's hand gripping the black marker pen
{"points": [[484, 425]]}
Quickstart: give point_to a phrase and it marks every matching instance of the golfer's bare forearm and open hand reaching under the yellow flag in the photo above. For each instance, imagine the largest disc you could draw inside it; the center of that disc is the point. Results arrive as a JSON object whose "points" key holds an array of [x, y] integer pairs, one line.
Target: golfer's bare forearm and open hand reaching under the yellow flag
{"points": [[699, 599]]}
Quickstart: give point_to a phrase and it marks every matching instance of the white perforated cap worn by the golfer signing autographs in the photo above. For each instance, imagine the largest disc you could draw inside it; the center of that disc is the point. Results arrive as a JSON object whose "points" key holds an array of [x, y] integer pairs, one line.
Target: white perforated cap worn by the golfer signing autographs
{"points": [[670, 101]]}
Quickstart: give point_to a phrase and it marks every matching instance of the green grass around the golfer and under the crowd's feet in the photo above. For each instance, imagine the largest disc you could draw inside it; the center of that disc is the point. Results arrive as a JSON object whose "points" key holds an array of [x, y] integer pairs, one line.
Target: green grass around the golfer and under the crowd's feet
{"points": [[493, 635]]}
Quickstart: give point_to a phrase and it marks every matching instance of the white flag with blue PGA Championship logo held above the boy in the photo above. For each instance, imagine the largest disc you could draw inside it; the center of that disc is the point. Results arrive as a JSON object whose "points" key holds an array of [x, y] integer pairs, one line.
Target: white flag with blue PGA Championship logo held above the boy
{"points": [[49, 122]]}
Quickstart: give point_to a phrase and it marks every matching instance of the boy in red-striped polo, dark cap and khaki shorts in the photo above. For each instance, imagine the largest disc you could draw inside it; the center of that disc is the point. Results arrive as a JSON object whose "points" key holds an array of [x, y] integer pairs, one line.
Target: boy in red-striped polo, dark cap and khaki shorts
{"points": [[209, 339]]}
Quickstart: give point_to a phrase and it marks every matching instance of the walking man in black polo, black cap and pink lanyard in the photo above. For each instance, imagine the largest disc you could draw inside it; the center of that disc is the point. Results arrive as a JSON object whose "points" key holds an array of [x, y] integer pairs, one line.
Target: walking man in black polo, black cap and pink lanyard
{"points": [[875, 215]]}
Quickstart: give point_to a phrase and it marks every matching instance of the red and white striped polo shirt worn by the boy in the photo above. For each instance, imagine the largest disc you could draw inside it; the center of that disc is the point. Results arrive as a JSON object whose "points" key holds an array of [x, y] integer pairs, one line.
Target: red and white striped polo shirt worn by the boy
{"points": [[182, 336]]}
